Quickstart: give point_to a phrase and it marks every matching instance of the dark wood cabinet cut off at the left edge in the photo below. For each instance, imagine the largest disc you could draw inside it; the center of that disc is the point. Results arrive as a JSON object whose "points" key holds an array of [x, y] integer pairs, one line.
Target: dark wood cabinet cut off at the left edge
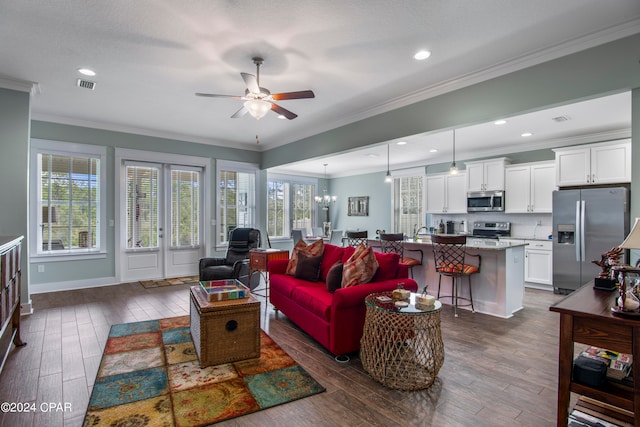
{"points": [[10, 282]]}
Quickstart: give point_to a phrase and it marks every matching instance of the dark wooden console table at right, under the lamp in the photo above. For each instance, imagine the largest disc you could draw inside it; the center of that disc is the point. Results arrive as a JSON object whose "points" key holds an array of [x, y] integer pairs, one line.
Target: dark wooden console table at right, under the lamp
{"points": [[586, 318]]}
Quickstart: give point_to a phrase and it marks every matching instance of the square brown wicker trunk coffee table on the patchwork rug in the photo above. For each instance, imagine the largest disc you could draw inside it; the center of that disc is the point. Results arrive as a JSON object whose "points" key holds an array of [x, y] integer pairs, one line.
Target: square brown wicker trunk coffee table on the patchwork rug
{"points": [[224, 331]]}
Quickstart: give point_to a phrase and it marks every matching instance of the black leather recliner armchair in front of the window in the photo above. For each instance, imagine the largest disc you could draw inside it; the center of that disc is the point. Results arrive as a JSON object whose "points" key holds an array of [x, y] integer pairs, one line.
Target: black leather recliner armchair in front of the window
{"points": [[235, 265]]}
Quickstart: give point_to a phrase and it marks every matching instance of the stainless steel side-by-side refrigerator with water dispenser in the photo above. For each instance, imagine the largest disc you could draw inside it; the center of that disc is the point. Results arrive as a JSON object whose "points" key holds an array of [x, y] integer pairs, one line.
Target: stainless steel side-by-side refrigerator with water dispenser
{"points": [[587, 222]]}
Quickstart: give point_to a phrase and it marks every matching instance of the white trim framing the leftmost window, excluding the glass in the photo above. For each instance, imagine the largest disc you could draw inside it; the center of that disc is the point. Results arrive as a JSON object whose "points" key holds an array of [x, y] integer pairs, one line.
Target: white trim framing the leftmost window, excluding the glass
{"points": [[68, 149]]}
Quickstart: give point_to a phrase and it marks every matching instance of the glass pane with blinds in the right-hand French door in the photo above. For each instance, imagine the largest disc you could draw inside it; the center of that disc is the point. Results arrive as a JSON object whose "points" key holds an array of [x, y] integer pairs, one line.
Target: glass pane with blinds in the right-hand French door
{"points": [[185, 208]]}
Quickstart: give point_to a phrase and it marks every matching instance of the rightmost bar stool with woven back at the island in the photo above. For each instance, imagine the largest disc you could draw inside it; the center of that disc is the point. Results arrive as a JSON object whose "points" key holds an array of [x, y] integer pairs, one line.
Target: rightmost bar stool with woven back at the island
{"points": [[449, 253]]}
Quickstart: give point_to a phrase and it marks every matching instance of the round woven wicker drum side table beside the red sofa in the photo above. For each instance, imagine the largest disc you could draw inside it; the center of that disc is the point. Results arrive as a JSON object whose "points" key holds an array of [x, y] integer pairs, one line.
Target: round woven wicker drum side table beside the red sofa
{"points": [[401, 348]]}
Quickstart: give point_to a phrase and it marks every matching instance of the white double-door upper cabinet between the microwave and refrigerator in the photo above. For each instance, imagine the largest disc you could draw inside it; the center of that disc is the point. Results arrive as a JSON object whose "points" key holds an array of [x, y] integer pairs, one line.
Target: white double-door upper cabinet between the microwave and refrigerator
{"points": [[529, 187]]}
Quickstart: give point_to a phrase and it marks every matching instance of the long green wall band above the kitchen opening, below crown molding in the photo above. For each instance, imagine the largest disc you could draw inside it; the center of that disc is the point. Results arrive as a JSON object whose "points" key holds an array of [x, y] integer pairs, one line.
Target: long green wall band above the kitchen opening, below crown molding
{"points": [[605, 69]]}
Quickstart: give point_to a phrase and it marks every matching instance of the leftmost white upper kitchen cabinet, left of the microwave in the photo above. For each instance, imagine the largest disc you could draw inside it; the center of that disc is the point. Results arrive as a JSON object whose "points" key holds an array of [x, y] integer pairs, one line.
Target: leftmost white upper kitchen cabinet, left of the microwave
{"points": [[446, 193]]}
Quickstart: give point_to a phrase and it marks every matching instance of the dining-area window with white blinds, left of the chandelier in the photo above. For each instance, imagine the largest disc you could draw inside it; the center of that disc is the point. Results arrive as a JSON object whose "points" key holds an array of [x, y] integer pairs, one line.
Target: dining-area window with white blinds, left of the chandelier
{"points": [[290, 204]]}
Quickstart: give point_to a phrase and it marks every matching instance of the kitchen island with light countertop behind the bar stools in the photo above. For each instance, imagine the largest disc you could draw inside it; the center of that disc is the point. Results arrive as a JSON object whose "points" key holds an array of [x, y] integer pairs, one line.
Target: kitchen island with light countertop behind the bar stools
{"points": [[498, 289]]}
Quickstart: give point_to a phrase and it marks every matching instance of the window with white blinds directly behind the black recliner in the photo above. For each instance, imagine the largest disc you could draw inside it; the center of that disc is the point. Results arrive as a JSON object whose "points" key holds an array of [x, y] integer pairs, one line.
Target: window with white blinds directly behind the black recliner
{"points": [[236, 198]]}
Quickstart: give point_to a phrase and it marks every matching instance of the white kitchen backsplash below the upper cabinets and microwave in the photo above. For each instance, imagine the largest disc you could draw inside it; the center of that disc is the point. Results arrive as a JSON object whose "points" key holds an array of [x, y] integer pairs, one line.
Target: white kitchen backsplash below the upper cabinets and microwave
{"points": [[522, 225]]}
